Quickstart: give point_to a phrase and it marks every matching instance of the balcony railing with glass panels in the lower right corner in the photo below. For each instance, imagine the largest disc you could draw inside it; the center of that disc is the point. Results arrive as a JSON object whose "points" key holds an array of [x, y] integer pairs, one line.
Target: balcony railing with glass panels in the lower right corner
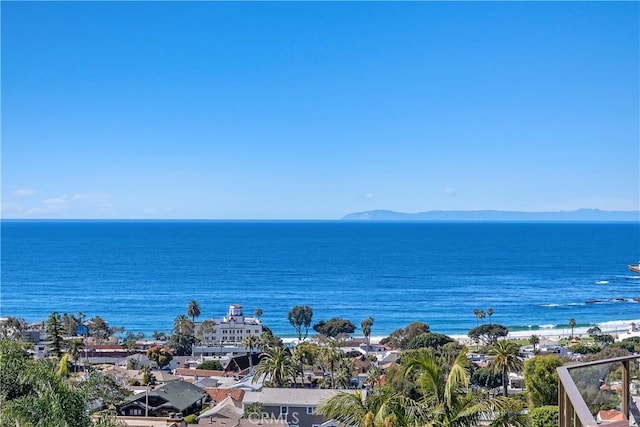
{"points": [[574, 411]]}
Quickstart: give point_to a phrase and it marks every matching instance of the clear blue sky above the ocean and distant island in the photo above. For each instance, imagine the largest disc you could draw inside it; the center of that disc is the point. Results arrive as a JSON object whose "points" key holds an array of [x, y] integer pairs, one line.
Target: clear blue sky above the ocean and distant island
{"points": [[304, 110]]}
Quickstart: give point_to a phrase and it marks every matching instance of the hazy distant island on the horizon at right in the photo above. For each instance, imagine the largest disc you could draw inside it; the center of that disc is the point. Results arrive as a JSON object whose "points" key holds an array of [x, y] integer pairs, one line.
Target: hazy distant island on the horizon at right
{"points": [[586, 215]]}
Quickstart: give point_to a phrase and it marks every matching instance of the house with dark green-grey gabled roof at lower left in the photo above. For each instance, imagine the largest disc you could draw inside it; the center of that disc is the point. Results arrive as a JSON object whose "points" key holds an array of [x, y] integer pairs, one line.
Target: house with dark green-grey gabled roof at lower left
{"points": [[170, 398]]}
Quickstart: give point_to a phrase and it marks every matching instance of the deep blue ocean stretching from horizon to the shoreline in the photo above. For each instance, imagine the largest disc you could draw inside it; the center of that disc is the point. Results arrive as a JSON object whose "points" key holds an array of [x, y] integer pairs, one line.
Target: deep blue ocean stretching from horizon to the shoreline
{"points": [[142, 274]]}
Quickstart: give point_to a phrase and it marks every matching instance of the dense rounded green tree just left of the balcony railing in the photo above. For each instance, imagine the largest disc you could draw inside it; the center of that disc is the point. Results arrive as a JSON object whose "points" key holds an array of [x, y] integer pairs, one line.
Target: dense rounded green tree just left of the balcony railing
{"points": [[541, 380]]}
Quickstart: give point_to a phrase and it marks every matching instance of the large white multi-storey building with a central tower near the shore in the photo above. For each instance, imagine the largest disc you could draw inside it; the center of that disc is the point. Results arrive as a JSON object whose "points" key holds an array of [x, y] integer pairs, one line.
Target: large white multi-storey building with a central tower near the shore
{"points": [[227, 333]]}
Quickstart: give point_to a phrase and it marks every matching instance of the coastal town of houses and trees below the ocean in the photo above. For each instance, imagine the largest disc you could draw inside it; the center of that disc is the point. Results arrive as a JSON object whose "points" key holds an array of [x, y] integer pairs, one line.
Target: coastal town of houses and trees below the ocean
{"points": [[231, 370]]}
